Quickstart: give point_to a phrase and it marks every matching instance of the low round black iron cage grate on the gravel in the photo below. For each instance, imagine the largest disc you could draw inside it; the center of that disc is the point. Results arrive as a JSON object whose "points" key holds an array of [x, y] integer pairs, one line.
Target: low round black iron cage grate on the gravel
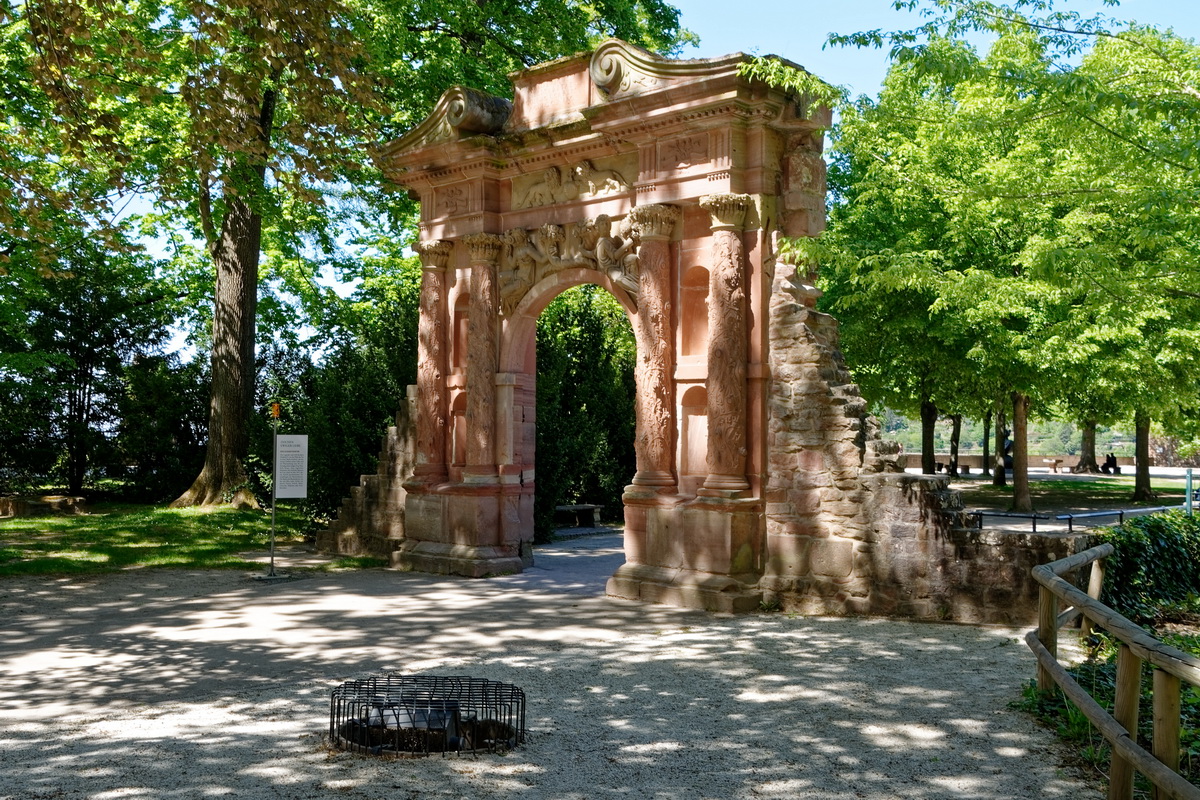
{"points": [[425, 714]]}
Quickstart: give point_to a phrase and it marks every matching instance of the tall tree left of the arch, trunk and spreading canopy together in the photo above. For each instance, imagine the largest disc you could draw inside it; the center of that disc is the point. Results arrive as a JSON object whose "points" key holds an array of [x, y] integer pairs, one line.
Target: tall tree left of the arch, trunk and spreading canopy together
{"points": [[241, 118]]}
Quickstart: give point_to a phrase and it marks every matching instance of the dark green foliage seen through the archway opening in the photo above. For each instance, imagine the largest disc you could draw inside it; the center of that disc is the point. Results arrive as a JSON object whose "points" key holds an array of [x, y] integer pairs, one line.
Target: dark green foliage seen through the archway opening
{"points": [[585, 452]]}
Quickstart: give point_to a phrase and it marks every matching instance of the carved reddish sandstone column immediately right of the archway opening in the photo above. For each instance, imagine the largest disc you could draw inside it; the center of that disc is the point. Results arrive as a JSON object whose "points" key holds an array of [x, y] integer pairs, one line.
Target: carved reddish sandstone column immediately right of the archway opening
{"points": [[656, 357]]}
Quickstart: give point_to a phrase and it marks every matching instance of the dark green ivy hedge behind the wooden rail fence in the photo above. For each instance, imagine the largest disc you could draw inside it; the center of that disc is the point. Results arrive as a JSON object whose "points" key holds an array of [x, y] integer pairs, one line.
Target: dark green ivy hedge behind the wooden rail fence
{"points": [[1154, 564]]}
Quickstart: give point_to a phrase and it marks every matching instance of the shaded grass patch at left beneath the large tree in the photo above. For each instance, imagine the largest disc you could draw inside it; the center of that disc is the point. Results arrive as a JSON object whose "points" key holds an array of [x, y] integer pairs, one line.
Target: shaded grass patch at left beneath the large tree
{"points": [[115, 538]]}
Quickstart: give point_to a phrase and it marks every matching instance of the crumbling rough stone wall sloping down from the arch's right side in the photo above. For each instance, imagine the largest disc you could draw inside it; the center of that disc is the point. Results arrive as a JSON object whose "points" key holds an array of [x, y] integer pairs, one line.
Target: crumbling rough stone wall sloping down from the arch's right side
{"points": [[848, 532]]}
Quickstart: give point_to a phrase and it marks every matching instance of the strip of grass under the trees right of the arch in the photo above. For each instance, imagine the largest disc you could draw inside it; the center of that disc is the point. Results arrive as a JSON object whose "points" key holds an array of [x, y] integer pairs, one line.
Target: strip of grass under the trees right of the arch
{"points": [[1097, 494]]}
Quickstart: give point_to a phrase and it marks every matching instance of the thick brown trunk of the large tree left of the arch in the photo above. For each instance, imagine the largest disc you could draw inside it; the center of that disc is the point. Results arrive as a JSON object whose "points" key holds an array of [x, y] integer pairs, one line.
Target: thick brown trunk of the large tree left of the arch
{"points": [[224, 478]]}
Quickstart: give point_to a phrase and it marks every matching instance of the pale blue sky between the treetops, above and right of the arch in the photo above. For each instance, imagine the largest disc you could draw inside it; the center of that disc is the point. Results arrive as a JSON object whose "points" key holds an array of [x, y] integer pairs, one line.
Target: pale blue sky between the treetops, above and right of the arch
{"points": [[797, 31]]}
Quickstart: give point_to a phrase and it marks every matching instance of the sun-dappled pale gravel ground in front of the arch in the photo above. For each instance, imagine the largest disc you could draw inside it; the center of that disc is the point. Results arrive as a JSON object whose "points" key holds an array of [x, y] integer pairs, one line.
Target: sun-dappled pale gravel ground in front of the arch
{"points": [[173, 684]]}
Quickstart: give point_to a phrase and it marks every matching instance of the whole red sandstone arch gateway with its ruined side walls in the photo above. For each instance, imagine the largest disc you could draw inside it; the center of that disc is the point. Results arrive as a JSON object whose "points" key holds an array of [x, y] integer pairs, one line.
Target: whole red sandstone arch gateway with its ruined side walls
{"points": [[760, 473]]}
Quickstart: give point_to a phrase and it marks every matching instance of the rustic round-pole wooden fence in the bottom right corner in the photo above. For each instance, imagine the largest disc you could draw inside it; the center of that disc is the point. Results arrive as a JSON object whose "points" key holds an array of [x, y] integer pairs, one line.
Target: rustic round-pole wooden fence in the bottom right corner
{"points": [[1174, 667]]}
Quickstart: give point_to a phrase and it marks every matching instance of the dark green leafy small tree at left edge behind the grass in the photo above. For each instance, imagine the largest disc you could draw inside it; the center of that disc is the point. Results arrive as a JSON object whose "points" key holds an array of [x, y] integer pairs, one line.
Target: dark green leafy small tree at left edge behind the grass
{"points": [[63, 362]]}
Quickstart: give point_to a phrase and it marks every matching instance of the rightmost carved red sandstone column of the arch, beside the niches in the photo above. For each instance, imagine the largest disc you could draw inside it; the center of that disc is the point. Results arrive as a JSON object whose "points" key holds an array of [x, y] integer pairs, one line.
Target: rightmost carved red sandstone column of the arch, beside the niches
{"points": [[728, 347]]}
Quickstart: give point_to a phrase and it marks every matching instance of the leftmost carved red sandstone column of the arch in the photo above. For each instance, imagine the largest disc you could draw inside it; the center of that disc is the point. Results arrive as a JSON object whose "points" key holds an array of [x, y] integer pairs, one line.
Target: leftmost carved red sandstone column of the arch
{"points": [[431, 364]]}
